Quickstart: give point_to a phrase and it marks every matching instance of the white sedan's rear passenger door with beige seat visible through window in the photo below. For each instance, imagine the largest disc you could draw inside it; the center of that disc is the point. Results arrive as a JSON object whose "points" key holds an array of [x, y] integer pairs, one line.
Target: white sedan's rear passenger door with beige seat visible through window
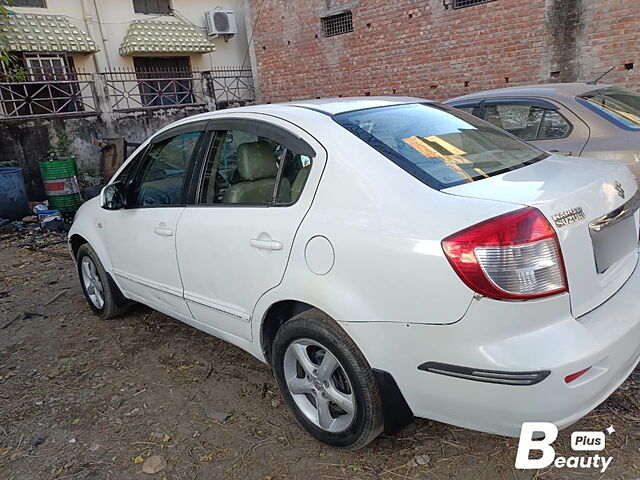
{"points": [[258, 182]]}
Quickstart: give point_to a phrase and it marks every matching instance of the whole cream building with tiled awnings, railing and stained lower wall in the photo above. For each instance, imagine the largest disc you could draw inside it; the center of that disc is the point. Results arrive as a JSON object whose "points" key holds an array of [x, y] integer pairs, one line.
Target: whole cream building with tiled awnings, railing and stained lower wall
{"points": [[109, 73]]}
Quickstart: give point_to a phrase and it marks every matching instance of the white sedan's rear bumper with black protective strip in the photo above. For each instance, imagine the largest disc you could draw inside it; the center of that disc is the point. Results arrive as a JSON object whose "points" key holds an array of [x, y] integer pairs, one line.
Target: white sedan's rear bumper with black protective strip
{"points": [[509, 336]]}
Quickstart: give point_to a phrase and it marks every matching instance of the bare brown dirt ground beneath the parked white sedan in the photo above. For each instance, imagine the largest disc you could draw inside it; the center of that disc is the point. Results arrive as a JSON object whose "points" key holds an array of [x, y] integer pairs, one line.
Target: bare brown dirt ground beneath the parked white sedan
{"points": [[85, 398]]}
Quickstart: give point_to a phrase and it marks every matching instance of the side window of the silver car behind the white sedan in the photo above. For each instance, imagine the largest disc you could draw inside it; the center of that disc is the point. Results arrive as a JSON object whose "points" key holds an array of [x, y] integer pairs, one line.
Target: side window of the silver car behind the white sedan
{"points": [[529, 122]]}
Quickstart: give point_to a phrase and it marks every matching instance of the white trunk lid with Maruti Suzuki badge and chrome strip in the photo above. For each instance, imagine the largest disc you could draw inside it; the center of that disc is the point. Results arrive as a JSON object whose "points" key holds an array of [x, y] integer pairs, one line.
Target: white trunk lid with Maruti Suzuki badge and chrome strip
{"points": [[593, 207]]}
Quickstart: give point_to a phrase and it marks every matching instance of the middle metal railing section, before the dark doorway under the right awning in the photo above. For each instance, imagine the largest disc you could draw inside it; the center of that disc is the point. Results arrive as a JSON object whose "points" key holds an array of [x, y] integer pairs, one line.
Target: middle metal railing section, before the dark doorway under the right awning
{"points": [[131, 90]]}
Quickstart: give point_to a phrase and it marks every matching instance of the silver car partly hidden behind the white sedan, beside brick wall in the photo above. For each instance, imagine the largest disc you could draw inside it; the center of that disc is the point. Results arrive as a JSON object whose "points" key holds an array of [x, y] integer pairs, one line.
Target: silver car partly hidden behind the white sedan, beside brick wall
{"points": [[578, 119]]}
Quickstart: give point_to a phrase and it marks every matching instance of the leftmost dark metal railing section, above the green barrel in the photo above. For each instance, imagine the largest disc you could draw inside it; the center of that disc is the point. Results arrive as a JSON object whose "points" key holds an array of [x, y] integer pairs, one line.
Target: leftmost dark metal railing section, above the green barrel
{"points": [[74, 94]]}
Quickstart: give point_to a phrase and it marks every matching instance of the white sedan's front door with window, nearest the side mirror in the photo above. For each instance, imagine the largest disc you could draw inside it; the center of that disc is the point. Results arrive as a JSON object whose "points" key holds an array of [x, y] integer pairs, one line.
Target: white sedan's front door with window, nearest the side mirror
{"points": [[142, 237]]}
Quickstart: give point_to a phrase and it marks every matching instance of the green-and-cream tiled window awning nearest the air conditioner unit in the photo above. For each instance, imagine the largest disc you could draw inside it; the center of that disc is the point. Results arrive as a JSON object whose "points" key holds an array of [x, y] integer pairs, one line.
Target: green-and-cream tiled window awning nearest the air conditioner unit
{"points": [[150, 36]]}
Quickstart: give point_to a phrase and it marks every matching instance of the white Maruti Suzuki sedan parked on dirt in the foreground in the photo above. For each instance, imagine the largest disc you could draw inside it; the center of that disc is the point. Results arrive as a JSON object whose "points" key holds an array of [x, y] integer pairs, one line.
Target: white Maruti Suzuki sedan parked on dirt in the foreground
{"points": [[389, 257]]}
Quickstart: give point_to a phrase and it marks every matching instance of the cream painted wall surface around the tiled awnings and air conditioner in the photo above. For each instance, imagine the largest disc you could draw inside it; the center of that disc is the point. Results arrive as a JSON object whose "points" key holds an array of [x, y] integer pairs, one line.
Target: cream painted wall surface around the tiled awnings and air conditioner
{"points": [[115, 16]]}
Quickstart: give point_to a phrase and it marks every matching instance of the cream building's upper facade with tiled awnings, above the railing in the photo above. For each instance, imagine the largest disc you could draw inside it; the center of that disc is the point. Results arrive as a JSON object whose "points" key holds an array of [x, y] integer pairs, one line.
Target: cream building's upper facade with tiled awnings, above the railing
{"points": [[101, 35]]}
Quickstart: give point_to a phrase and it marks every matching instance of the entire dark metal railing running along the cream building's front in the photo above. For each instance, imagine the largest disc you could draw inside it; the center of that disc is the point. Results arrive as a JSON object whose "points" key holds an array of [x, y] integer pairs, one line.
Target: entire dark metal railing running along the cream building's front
{"points": [[77, 94]]}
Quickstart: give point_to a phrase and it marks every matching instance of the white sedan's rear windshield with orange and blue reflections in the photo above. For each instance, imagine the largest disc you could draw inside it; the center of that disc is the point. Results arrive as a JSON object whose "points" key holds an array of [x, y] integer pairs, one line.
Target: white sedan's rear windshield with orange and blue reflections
{"points": [[439, 145]]}
